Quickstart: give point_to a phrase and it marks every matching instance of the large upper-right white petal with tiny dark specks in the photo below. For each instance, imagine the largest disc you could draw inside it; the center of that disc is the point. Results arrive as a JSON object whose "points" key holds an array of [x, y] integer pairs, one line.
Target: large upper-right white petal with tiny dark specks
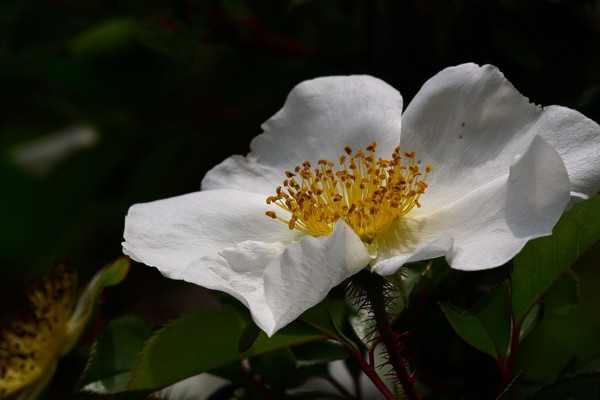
{"points": [[469, 122]]}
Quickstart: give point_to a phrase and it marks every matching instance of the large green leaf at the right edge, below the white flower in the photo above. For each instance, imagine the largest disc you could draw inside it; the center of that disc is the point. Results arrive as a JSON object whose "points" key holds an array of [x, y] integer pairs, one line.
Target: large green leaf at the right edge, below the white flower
{"points": [[543, 260]]}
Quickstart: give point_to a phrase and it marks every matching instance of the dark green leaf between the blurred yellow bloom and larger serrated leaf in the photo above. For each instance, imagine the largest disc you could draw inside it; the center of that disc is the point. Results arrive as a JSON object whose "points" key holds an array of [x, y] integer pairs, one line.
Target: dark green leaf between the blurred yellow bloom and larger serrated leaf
{"points": [[114, 355]]}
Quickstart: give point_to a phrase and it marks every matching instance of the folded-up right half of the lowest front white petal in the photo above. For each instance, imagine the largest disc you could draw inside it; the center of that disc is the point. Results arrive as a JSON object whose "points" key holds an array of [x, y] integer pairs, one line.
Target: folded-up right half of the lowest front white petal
{"points": [[308, 269]]}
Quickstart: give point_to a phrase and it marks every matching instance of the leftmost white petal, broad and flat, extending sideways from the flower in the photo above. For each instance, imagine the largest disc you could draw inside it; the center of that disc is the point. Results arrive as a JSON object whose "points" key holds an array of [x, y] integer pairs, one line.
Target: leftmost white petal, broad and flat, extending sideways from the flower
{"points": [[172, 233]]}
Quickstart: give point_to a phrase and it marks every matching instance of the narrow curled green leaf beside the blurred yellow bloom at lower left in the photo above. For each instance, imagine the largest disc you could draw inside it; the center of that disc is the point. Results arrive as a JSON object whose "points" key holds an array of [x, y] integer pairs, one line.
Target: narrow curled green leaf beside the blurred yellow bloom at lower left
{"points": [[87, 303]]}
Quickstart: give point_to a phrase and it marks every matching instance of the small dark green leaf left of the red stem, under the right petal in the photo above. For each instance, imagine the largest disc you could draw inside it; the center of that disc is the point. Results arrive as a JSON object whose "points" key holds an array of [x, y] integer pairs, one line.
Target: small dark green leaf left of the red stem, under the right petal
{"points": [[486, 326]]}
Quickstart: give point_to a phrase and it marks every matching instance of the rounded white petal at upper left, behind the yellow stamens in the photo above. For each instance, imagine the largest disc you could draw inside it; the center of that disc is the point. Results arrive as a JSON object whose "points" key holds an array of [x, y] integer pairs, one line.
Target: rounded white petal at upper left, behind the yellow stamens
{"points": [[319, 118]]}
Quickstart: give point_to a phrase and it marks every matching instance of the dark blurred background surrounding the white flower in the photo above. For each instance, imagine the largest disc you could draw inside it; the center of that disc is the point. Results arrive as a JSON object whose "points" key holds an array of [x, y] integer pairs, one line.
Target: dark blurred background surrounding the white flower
{"points": [[170, 88]]}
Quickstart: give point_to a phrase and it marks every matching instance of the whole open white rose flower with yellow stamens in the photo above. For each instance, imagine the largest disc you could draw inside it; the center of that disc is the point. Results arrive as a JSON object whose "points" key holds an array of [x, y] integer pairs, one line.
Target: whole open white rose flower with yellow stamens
{"points": [[504, 171]]}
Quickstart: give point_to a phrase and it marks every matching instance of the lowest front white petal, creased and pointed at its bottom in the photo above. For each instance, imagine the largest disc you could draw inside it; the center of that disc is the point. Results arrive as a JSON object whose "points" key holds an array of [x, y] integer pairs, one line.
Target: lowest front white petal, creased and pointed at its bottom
{"points": [[276, 282]]}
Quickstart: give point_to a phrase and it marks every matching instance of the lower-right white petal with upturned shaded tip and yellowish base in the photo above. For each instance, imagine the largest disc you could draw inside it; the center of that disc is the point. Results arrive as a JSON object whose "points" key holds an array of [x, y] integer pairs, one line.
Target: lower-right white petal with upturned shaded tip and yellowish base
{"points": [[487, 227]]}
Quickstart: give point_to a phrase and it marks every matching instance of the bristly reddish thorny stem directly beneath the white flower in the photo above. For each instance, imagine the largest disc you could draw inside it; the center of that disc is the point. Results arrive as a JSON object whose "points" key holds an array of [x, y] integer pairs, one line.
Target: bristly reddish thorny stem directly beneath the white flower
{"points": [[374, 290]]}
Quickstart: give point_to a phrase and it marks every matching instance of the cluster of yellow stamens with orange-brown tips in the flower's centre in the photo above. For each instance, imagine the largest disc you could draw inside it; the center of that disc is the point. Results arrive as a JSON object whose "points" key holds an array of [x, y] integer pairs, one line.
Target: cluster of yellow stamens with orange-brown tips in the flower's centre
{"points": [[366, 193]]}
